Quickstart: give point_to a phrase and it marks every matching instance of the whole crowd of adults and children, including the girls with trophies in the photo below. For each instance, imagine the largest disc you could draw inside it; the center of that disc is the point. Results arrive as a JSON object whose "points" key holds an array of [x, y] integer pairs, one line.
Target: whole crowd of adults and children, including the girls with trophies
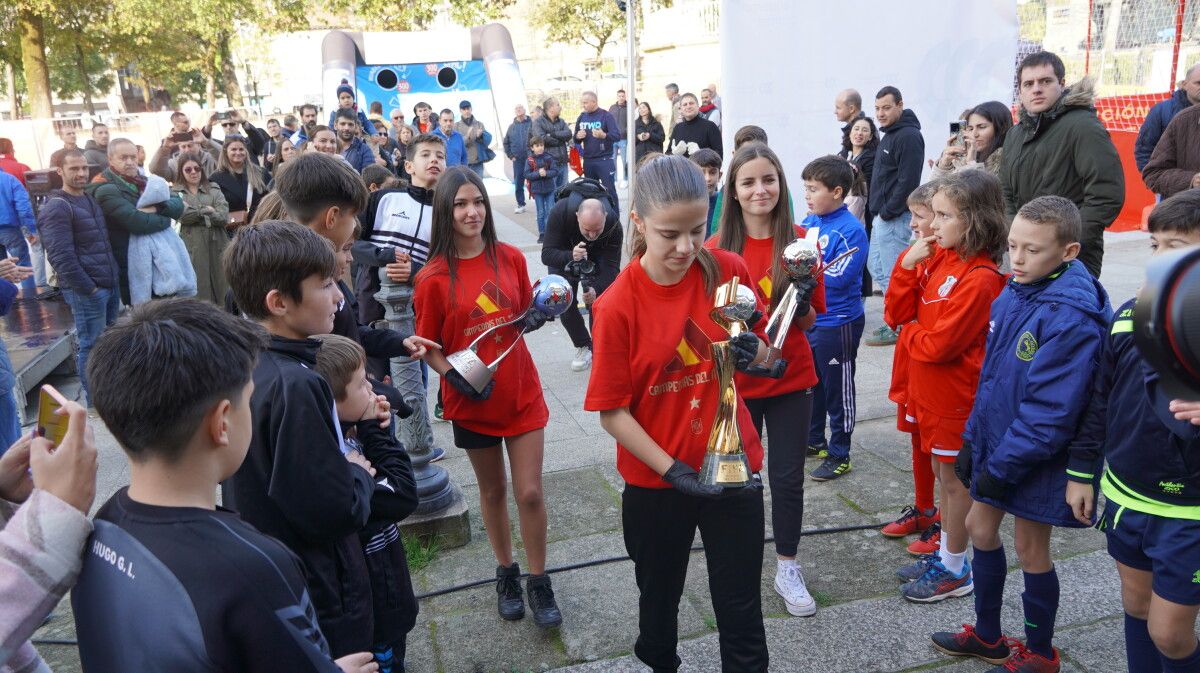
{"points": [[1018, 384]]}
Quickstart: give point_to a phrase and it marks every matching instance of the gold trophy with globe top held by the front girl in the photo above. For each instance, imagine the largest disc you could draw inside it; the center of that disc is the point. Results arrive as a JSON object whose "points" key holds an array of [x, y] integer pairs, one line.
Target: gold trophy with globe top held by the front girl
{"points": [[725, 462]]}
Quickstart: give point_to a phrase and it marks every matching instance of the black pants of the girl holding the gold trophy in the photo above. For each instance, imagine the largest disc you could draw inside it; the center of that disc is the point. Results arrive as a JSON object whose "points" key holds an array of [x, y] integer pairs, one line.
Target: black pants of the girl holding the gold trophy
{"points": [[661, 525]]}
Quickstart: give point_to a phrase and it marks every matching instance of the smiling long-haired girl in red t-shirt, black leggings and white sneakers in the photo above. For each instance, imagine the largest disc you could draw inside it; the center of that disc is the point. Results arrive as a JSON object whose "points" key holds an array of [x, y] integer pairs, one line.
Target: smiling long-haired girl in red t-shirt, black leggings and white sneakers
{"points": [[757, 225]]}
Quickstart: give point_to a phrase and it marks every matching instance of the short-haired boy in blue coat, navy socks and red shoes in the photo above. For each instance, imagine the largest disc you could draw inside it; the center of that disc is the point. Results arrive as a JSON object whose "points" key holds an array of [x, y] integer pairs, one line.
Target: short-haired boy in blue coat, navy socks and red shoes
{"points": [[1042, 357]]}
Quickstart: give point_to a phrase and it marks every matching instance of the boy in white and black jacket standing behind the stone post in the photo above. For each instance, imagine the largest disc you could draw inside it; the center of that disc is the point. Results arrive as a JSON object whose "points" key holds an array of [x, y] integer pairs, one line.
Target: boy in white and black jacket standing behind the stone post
{"points": [[397, 226]]}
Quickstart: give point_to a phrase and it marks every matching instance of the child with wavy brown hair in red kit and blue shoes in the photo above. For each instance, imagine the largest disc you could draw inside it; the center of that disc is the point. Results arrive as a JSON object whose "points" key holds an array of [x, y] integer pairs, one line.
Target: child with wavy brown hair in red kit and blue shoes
{"points": [[941, 299]]}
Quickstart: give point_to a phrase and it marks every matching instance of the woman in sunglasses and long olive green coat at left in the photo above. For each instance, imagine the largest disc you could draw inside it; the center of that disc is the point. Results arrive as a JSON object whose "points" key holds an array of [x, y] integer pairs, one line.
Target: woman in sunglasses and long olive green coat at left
{"points": [[203, 226]]}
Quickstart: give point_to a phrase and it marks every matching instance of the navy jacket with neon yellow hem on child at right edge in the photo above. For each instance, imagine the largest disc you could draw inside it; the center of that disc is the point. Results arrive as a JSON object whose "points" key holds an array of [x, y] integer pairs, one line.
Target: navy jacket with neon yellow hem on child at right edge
{"points": [[1154, 459]]}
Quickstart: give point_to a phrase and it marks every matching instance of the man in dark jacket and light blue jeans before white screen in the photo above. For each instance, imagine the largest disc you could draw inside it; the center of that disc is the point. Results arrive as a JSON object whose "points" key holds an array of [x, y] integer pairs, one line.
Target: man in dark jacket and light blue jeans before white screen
{"points": [[898, 165]]}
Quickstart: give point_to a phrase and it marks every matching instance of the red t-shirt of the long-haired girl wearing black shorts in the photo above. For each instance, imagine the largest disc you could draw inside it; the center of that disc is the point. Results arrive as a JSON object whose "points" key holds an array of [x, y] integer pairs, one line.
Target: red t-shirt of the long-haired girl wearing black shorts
{"points": [[455, 314]]}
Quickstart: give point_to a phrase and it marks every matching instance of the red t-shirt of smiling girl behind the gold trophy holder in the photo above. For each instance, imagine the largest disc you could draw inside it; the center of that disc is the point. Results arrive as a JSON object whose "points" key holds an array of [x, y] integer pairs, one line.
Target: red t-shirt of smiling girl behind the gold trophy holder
{"points": [[760, 256]]}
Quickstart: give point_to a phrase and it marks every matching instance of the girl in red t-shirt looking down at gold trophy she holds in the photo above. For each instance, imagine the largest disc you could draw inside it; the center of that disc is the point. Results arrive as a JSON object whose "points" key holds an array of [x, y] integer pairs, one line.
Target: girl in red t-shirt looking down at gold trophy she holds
{"points": [[655, 386]]}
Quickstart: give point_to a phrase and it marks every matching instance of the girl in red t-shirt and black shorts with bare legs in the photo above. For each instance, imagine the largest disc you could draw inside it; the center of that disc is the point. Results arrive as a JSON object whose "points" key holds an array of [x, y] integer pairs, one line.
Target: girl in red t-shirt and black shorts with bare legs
{"points": [[471, 284]]}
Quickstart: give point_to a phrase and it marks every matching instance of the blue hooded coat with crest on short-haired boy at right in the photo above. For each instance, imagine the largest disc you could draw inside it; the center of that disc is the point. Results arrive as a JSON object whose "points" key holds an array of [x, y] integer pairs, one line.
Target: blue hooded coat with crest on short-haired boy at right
{"points": [[1043, 352]]}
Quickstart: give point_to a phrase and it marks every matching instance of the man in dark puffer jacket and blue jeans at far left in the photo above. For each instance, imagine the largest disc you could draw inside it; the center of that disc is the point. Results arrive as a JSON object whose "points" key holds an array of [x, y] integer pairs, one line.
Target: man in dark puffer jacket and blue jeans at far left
{"points": [[77, 247]]}
